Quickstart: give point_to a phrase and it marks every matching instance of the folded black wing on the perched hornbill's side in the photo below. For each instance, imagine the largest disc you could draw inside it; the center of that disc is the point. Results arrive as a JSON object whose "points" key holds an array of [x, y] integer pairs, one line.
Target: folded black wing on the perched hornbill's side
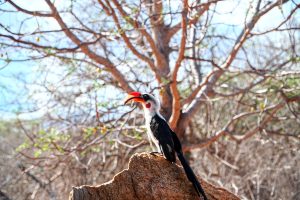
{"points": [[162, 133]]}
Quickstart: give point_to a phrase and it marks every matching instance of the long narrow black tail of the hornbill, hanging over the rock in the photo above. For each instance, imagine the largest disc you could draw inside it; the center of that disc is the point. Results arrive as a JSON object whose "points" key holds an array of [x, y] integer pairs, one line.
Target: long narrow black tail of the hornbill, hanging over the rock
{"points": [[191, 176]]}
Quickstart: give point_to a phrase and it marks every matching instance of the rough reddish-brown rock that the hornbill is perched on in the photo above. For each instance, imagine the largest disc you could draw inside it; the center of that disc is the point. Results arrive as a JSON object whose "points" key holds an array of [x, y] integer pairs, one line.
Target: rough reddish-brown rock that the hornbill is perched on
{"points": [[149, 177]]}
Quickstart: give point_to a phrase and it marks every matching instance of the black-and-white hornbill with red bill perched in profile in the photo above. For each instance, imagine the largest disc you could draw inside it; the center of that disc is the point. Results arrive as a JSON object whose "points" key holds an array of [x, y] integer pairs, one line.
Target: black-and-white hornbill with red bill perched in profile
{"points": [[162, 135]]}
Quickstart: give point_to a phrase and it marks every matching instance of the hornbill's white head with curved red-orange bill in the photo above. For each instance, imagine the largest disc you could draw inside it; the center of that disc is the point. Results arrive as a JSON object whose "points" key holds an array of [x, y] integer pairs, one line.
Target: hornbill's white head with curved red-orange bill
{"points": [[150, 104]]}
